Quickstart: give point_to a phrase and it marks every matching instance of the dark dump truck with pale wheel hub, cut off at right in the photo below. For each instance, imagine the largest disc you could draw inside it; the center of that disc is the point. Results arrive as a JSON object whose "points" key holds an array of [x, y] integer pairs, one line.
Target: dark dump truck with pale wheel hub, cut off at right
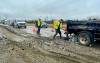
{"points": [[86, 32]]}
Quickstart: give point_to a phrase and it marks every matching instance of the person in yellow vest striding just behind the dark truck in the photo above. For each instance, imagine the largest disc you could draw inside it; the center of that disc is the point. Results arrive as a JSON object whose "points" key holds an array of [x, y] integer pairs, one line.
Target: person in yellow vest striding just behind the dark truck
{"points": [[57, 25]]}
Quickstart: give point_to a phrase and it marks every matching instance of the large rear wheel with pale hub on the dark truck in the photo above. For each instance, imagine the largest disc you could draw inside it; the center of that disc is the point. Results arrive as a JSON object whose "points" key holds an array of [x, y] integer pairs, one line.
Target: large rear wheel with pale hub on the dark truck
{"points": [[84, 38]]}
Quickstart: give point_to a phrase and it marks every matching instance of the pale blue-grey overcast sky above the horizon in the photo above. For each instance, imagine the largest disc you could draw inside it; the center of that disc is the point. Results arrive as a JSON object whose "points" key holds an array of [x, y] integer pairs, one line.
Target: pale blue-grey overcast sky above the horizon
{"points": [[43, 8]]}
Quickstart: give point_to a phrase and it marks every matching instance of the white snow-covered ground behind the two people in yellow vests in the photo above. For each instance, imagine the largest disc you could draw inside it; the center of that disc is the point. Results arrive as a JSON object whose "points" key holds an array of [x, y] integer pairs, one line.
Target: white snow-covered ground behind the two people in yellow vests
{"points": [[45, 32]]}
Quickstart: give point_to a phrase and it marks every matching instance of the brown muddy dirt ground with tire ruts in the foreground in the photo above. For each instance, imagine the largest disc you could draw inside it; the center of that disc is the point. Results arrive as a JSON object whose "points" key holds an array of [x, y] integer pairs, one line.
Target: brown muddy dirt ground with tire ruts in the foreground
{"points": [[16, 48]]}
